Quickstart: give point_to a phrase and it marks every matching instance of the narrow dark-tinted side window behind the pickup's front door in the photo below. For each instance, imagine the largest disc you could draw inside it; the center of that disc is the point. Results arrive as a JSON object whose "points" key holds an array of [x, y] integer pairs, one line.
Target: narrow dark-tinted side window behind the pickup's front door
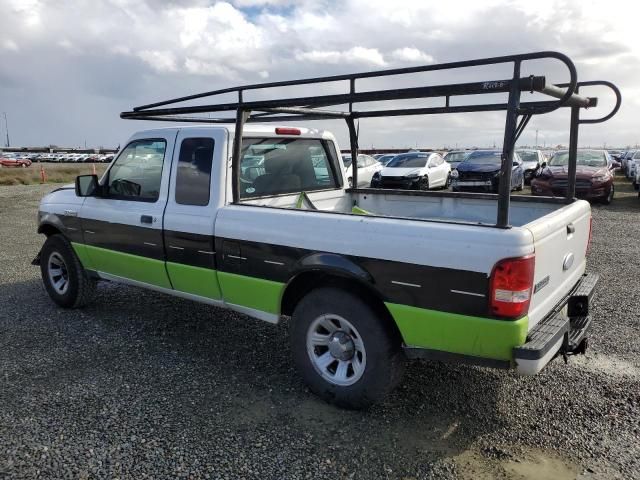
{"points": [[193, 174]]}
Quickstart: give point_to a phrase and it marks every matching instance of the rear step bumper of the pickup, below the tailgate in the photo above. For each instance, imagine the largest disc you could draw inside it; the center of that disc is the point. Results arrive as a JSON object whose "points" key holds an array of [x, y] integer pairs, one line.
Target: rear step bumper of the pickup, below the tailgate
{"points": [[564, 331]]}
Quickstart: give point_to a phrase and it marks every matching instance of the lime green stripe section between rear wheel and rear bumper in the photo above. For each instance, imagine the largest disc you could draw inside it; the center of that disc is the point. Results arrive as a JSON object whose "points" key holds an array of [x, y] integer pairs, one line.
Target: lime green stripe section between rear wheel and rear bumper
{"points": [[450, 332]]}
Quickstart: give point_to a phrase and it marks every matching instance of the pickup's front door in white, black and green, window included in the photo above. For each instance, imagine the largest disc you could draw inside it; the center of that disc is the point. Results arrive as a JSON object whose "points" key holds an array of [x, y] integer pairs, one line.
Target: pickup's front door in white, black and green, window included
{"points": [[122, 229]]}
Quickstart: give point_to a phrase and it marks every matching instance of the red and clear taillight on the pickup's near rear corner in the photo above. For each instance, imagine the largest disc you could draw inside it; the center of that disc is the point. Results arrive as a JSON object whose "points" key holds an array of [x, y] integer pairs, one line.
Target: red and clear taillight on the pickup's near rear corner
{"points": [[511, 285]]}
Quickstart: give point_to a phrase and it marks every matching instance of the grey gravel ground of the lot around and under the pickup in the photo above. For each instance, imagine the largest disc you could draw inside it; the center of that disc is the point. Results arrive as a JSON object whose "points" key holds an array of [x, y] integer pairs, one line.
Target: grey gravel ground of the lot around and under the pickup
{"points": [[142, 385]]}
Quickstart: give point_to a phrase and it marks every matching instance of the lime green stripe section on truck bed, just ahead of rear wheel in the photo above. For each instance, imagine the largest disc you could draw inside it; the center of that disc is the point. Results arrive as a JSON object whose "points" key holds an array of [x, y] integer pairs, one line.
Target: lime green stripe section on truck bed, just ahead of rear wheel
{"points": [[251, 292]]}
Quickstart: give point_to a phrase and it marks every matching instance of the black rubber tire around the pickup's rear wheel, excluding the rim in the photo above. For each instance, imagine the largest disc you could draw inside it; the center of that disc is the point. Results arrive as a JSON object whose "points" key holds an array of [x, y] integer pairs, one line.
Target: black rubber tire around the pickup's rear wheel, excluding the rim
{"points": [[385, 360]]}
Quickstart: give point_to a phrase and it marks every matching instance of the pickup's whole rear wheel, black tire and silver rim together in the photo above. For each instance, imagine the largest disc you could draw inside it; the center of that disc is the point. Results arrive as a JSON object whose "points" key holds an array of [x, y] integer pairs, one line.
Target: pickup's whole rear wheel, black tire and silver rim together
{"points": [[345, 350]]}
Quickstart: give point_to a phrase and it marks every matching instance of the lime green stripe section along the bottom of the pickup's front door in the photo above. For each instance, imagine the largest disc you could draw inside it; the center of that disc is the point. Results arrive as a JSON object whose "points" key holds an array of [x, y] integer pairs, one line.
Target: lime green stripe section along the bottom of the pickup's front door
{"points": [[134, 267]]}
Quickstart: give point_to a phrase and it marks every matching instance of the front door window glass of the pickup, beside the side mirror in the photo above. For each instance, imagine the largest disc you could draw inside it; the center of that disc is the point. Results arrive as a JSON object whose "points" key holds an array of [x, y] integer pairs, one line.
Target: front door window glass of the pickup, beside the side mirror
{"points": [[137, 172]]}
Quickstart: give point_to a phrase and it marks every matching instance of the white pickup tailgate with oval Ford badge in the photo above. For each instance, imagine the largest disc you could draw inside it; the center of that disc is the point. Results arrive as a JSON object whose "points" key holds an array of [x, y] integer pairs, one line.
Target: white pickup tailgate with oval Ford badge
{"points": [[560, 242]]}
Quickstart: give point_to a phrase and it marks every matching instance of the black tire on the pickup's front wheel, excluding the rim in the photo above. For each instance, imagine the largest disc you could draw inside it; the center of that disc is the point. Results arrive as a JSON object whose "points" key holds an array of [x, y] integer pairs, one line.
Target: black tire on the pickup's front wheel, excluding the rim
{"points": [[81, 288]]}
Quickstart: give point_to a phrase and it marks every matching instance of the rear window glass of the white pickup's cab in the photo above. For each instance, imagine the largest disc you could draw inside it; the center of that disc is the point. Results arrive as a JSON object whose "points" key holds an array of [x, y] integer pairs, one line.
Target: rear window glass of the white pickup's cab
{"points": [[274, 166]]}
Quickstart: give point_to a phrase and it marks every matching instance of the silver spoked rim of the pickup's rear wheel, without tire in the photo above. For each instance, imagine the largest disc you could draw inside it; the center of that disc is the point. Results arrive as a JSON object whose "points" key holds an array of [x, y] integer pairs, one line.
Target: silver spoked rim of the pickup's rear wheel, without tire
{"points": [[336, 350]]}
